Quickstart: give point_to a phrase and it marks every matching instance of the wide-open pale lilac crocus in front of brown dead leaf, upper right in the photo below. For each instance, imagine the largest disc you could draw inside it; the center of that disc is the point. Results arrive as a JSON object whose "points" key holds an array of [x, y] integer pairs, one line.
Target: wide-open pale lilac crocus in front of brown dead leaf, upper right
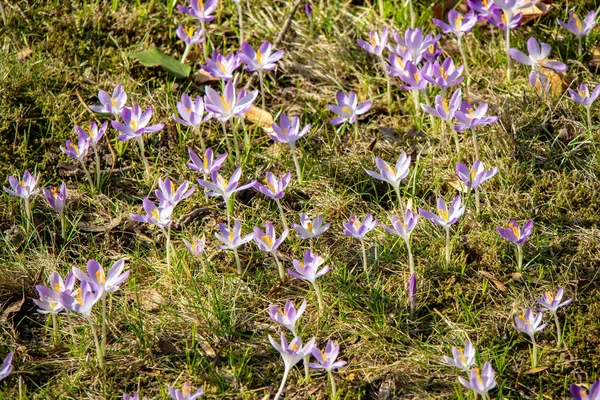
{"points": [[538, 60]]}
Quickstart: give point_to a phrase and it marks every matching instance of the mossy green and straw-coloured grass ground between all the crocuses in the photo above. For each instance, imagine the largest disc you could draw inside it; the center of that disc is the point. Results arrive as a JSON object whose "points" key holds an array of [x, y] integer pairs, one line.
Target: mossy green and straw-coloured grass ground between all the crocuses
{"points": [[166, 328]]}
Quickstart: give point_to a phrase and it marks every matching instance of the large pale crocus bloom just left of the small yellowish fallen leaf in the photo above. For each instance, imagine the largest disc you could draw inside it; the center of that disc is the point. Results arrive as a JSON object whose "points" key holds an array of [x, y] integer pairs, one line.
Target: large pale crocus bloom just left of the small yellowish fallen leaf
{"points": [[230, 104]]}
